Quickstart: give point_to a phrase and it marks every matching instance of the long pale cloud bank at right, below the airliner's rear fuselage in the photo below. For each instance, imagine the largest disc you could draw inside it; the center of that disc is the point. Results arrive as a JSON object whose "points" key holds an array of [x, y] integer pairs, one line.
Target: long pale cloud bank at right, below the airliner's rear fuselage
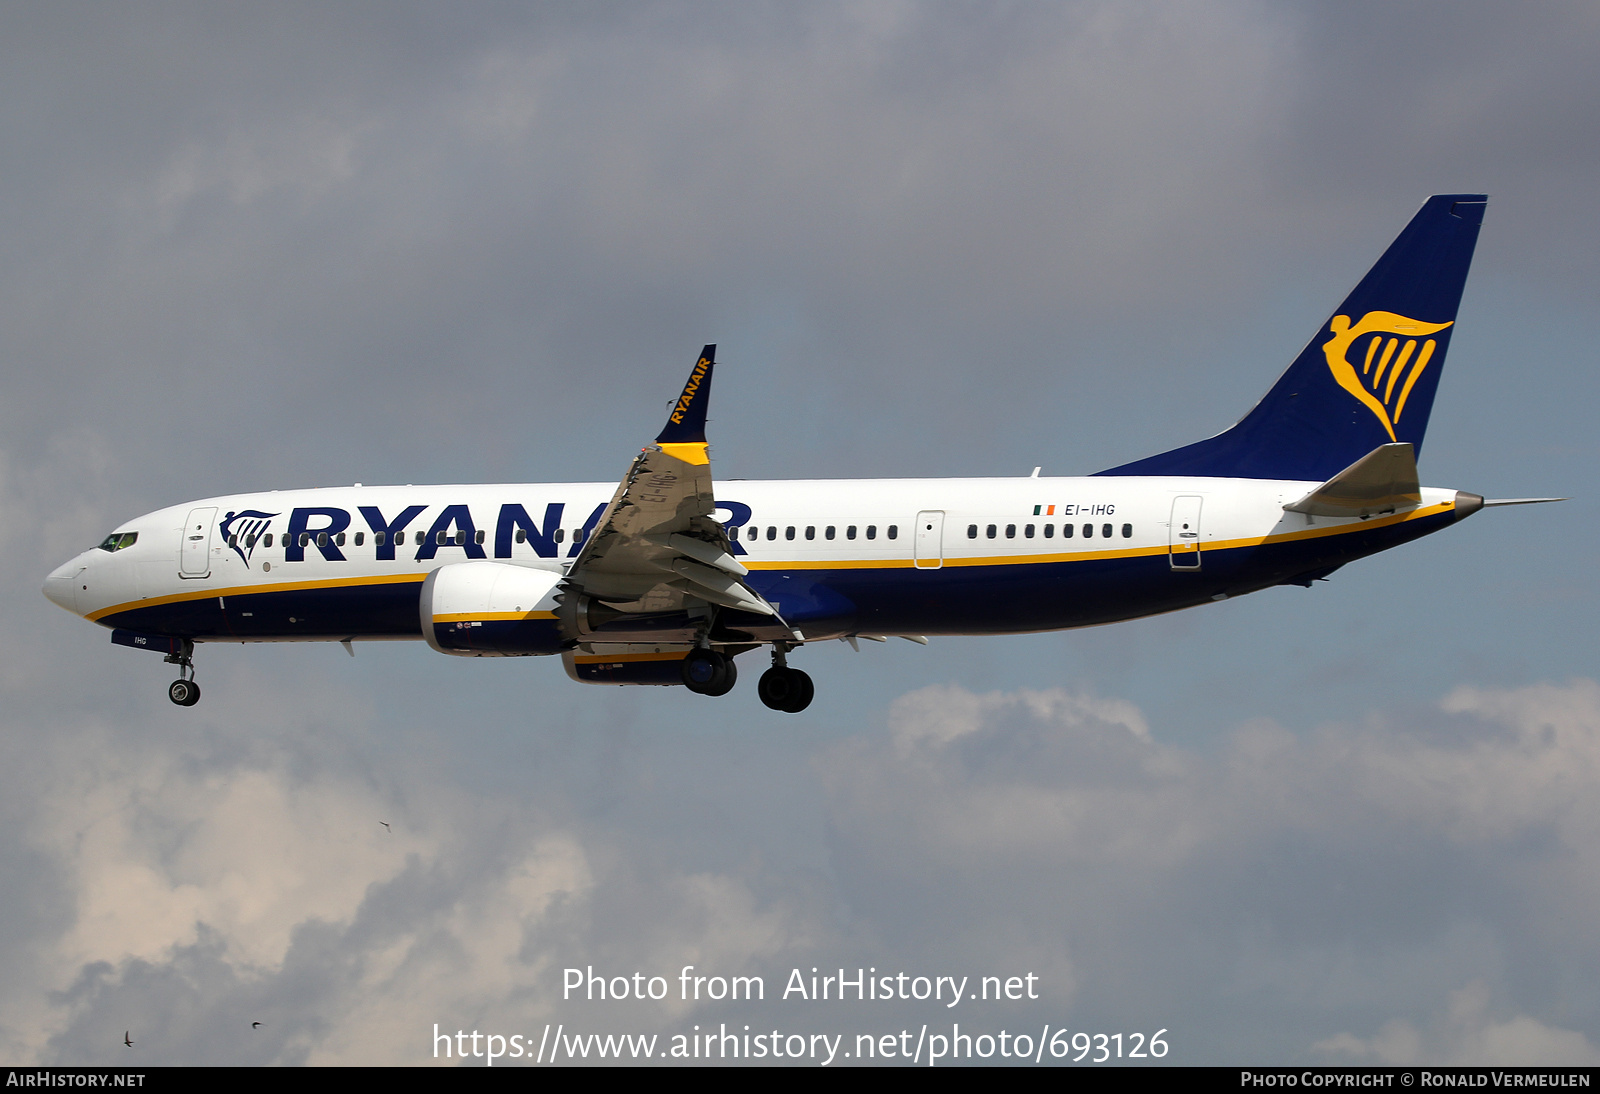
{"points": [[1530, 762]]}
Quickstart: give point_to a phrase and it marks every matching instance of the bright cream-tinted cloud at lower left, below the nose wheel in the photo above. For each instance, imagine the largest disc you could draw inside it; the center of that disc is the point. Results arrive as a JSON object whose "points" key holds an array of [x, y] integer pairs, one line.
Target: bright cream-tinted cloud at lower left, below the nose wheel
{"points": [[158, 853]]}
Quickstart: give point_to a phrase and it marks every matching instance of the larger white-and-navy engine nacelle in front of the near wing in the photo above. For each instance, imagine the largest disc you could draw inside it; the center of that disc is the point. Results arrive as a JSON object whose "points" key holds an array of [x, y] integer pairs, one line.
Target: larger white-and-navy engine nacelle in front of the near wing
{"points": [[492, 610]]}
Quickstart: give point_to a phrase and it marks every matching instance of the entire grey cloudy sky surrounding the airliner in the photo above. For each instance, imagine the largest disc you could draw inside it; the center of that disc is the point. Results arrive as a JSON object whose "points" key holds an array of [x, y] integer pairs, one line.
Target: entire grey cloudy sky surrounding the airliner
{"points": [[322, 244]]}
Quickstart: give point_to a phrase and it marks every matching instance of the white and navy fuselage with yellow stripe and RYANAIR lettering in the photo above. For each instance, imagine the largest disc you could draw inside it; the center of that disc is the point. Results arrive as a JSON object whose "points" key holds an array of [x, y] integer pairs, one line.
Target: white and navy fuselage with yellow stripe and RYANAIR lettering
{"points": [[924, 556]]}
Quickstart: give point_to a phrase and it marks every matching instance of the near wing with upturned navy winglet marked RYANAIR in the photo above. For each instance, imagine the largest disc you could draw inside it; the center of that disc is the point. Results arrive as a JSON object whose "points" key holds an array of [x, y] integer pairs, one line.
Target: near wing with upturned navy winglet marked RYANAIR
{"points": [[658, 545]]}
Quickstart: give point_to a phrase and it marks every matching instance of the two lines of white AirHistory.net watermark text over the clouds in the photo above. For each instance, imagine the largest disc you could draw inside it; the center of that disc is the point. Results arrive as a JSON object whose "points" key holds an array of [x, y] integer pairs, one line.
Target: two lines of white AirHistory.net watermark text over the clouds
{"points": [[929, 1044]]}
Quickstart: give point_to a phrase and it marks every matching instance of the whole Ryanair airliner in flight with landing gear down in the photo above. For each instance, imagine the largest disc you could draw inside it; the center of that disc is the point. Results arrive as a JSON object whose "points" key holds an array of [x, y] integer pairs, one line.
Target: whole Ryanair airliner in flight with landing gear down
{"points": [[670, 577]]}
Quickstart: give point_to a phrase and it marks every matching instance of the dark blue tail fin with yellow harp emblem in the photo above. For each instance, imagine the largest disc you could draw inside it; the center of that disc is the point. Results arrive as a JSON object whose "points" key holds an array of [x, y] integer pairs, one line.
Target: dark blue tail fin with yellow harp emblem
{"points": [[1370, 373]]}
